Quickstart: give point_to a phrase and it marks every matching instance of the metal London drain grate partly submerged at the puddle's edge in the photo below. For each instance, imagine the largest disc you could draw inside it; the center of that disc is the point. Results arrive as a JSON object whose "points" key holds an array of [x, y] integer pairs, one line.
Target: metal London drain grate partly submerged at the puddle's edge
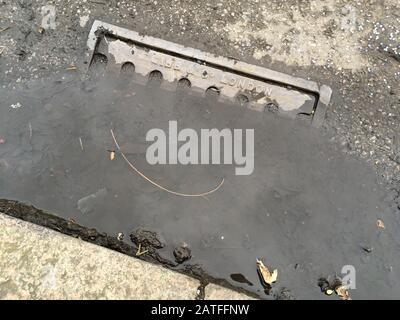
{"points": [[126, 51]]}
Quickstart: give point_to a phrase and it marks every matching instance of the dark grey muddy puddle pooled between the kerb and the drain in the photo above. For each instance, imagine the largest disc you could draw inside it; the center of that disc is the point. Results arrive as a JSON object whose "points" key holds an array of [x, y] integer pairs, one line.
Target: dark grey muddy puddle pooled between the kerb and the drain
{"points": [[307, 210]]}
